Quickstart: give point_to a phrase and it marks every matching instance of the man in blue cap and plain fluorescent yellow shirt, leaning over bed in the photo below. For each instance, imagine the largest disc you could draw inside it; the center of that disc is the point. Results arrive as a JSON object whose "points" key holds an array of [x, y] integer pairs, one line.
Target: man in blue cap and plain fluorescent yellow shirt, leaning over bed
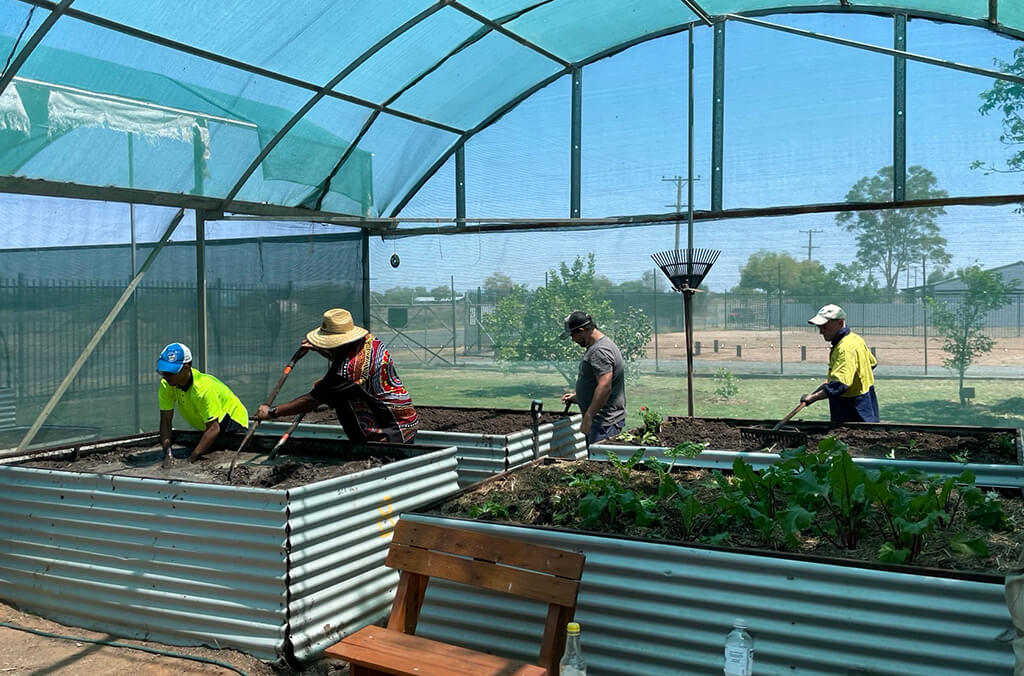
{"points": [[204, 402]]}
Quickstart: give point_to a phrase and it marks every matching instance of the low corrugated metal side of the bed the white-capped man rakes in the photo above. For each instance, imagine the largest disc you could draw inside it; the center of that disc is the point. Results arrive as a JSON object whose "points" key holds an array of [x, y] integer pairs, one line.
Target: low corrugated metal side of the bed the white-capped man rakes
{"points": [[1005, 477]]}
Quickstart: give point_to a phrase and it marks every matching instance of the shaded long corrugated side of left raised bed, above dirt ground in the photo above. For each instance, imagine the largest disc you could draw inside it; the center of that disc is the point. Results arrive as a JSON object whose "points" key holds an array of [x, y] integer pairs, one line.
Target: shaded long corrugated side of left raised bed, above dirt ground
{"points": [[181, 564]]}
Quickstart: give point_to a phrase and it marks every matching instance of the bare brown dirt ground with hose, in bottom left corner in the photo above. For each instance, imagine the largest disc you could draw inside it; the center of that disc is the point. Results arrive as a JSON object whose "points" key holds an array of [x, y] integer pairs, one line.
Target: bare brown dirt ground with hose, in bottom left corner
{"points": [[25, 654]]}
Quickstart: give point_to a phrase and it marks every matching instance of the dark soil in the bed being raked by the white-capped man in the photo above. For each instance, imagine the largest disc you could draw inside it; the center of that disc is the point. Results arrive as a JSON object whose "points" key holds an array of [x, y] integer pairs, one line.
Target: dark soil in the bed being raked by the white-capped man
{"points": [[994, 448]]}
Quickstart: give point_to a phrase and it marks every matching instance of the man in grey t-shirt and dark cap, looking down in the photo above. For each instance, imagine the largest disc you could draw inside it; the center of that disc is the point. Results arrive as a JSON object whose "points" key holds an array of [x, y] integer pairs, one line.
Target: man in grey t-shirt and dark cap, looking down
{"points": [[601, 383]]}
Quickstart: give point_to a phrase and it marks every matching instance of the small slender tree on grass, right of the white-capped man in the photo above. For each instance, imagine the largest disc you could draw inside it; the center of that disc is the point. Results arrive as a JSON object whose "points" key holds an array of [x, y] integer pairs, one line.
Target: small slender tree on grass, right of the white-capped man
{"points": [[963, 323]]}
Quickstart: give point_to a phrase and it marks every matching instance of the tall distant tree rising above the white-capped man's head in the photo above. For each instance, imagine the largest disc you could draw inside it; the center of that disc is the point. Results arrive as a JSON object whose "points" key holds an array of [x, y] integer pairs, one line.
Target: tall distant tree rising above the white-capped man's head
{"points": [[891, 240]]}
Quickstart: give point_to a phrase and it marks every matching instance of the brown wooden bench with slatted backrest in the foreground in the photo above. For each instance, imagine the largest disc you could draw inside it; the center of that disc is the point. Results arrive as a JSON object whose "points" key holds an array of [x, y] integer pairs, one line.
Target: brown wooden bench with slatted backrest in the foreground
{"points": [[422, 552]]}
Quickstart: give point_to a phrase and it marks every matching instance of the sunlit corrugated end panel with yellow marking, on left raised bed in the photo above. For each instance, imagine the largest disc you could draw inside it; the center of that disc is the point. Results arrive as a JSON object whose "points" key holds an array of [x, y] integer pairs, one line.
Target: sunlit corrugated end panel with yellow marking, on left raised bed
{"points": [[340, 531]]}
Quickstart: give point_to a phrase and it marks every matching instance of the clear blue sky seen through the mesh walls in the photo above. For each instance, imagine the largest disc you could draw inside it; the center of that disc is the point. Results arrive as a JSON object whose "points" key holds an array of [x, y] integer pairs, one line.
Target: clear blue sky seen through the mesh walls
{"points": [[804, 120]]}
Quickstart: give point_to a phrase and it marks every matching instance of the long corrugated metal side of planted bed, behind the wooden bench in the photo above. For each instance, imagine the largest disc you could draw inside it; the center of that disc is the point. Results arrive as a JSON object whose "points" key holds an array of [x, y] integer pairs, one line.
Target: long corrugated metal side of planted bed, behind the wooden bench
{"points": [[657, 609]]}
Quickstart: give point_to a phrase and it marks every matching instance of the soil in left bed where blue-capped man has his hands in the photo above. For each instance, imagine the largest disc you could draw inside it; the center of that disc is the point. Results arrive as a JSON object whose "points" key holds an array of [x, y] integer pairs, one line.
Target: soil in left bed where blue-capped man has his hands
{"points": [[282, 473]]}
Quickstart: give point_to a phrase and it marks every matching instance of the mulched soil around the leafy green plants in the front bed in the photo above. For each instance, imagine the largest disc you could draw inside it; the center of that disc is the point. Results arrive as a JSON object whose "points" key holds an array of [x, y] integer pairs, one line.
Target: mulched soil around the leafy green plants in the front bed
{"points": [[541, 495]]}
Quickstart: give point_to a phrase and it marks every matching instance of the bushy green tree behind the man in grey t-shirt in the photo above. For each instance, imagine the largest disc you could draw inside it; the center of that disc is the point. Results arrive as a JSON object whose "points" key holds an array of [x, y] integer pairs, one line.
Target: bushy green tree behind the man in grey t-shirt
{"points": [[526, 325]]}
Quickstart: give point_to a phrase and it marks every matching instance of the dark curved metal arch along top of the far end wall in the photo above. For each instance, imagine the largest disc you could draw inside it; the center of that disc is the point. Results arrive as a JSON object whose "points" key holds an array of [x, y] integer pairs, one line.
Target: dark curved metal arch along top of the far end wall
{"points": [[990, 25]]}
